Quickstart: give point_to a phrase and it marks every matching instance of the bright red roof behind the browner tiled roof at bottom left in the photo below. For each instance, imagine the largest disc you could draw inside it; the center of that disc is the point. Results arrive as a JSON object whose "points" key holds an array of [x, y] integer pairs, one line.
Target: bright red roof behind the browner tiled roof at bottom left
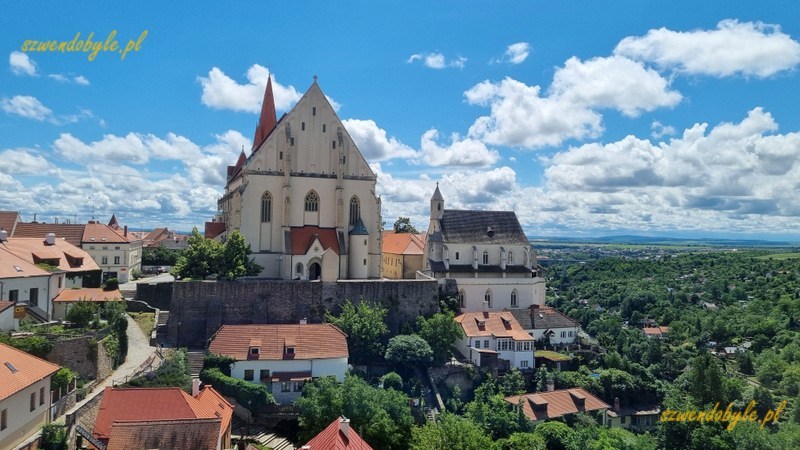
{"points": [[148, 407]]}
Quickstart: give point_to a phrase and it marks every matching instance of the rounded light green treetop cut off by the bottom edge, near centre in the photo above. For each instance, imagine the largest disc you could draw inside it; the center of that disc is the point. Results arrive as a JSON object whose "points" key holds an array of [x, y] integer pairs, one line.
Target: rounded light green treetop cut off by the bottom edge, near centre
{"points": [[450, 432]]}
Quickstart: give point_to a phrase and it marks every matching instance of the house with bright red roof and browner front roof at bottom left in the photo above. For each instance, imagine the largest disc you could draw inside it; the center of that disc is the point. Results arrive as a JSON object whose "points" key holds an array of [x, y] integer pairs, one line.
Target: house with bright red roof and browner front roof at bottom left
{"points": [[163, 418]]}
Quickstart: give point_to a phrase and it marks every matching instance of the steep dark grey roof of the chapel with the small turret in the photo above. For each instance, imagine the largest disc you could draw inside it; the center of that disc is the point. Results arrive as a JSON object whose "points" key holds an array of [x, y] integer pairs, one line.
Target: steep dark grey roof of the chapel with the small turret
{"points": [[471, 227]]}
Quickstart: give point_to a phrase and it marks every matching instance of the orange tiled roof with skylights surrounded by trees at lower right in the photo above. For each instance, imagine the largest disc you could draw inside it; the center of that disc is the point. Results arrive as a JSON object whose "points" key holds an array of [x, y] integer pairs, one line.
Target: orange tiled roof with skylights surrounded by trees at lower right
{"points": [[552, 404]]}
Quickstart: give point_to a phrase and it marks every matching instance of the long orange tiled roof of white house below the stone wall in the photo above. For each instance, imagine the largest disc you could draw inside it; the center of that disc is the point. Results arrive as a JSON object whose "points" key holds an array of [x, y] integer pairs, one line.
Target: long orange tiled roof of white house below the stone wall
{"points": [[311, 341]]}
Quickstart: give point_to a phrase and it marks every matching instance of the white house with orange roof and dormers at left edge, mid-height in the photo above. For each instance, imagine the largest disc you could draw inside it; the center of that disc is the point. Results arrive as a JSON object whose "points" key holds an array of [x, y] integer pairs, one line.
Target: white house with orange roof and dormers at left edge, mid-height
{"points": [[35, 270]]}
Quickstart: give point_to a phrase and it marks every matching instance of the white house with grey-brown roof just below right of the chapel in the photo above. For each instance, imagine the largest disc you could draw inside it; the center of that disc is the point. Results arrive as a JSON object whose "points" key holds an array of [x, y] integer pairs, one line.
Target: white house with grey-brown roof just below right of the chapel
{"points": [[546, 322]]}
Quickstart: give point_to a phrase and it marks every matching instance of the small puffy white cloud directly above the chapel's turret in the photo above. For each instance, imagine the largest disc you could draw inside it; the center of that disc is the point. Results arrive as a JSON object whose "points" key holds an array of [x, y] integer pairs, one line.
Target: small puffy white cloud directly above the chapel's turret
{"points": [[460, 152]]}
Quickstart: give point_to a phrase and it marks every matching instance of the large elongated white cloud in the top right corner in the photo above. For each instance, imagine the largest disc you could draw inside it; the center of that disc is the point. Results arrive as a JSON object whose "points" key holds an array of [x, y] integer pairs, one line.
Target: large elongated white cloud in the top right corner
{"points": [[746, 48]]}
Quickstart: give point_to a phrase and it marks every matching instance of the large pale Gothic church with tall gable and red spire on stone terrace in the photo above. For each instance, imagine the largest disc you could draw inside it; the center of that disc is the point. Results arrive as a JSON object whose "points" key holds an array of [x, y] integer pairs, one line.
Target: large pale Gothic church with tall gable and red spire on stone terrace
{"points": [[305, 198]]}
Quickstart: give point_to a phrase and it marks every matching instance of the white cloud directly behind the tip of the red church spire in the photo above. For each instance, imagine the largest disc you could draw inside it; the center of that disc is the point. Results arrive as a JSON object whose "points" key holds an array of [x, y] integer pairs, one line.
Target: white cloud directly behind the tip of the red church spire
{"points": [[222, 92]]}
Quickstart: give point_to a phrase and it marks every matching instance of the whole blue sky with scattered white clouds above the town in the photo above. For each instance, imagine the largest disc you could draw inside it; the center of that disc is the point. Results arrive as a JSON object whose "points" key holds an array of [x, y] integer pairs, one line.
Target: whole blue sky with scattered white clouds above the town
{"points": [[585, 117]]}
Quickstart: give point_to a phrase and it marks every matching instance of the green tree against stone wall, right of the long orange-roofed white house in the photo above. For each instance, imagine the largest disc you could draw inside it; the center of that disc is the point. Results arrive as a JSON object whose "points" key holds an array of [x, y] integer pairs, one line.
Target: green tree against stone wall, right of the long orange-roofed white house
{"points": [[366, 330]]}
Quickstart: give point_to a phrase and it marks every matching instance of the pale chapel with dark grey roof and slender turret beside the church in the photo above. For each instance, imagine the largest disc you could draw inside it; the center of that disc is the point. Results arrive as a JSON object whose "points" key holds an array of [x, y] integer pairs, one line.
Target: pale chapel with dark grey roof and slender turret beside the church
{"points": [[486, 253]]}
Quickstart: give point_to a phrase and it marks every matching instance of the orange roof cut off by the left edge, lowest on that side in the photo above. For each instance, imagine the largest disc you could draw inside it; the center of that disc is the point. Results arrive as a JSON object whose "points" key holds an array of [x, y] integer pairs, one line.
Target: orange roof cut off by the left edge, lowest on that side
{"points": [[19, 370]]}
